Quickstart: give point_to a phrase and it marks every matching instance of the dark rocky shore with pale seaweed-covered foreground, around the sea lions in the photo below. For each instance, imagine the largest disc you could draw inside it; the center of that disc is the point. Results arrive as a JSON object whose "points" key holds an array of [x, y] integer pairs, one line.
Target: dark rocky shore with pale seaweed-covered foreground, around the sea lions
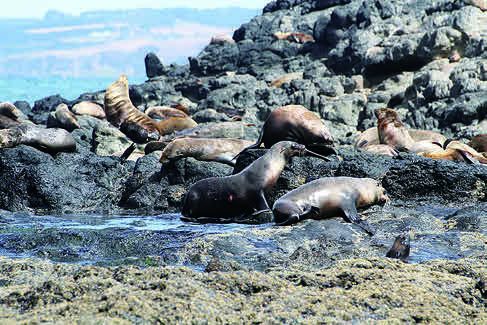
{"points": [[427, 60]]}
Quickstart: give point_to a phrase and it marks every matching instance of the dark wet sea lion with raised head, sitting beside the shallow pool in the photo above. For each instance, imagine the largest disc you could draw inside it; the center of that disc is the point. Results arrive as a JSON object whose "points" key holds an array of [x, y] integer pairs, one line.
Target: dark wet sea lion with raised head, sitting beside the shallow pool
{"points": [[233, 198]]}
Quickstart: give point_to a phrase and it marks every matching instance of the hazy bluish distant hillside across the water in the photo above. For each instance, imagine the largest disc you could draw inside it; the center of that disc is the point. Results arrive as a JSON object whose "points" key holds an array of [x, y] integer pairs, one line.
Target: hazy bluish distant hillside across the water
{"points": [[105, 43]]}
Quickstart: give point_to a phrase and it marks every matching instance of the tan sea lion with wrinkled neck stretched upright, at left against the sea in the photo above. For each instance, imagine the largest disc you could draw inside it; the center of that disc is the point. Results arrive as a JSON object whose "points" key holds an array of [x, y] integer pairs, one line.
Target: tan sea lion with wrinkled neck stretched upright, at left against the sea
{"points": [[136, 125]]}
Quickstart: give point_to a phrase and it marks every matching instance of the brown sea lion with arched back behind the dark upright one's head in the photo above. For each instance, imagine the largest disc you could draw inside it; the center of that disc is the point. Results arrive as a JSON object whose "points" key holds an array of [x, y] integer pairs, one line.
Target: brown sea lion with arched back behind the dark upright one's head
{"points": [[295, 123]]}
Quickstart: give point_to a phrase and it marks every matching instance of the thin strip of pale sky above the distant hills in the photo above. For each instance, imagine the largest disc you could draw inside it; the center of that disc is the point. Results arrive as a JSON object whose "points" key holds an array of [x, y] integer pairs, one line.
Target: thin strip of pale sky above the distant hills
{"points": [[37, 8]]}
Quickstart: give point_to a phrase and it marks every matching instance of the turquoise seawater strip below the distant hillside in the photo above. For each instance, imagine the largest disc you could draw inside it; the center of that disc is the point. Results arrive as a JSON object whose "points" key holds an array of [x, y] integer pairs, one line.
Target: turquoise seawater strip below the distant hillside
{"points": [[35, 88]]}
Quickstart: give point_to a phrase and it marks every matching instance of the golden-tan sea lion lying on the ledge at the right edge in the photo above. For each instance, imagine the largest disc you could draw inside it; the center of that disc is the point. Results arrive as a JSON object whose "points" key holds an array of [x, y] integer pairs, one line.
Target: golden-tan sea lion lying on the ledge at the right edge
{"points": [[456, 151]]}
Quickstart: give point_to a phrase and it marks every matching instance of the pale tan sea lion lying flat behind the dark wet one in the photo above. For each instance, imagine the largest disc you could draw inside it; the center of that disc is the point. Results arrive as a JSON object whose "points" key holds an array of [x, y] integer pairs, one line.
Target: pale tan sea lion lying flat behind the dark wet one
{"points": [[219, 150]]}
